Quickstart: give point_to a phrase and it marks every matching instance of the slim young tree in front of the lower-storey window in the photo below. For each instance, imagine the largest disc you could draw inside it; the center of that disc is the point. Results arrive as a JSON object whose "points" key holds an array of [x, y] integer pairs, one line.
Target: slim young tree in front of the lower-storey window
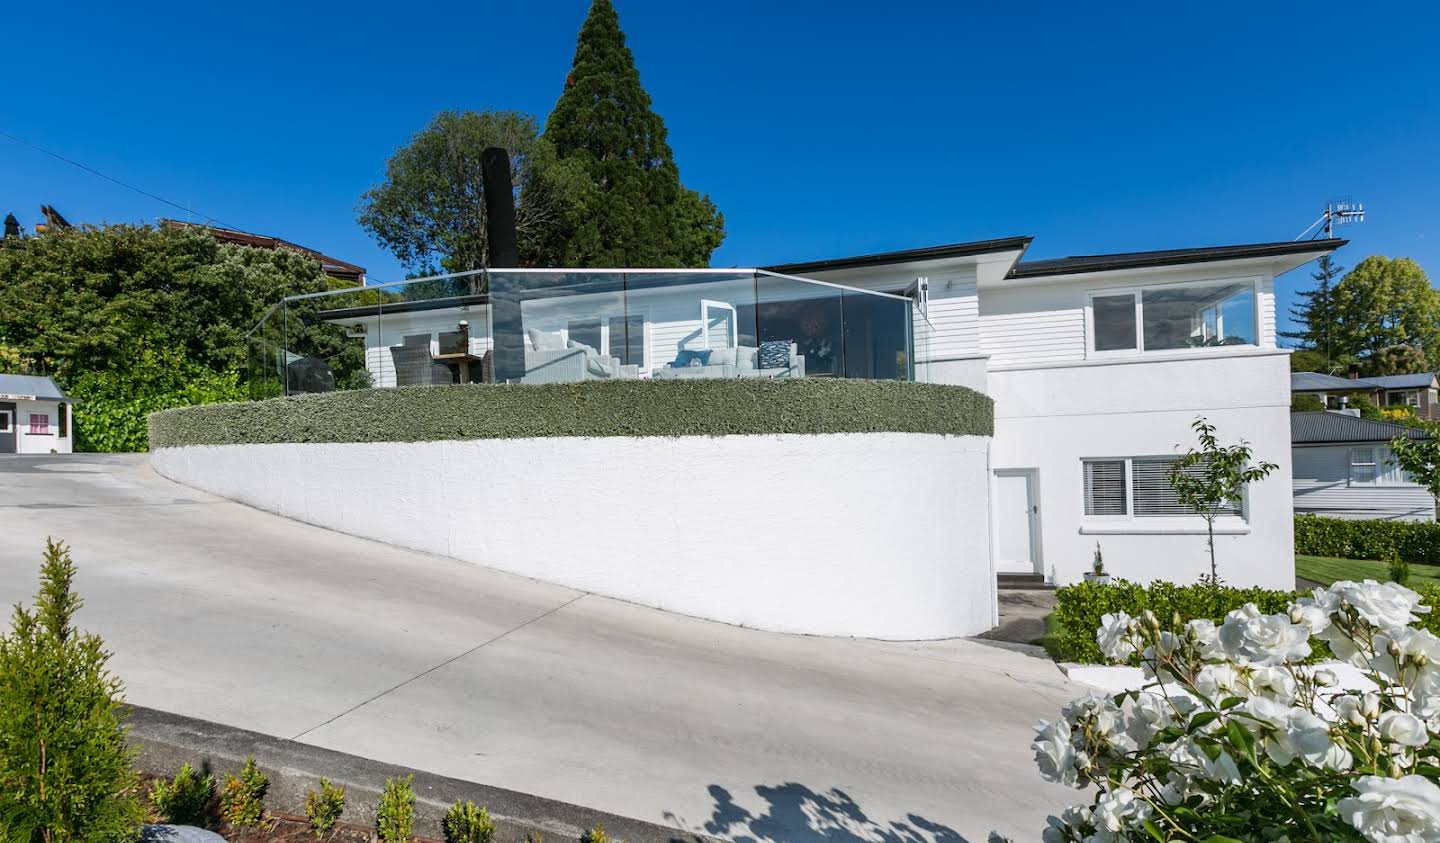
{"points": [[1212, 479]]}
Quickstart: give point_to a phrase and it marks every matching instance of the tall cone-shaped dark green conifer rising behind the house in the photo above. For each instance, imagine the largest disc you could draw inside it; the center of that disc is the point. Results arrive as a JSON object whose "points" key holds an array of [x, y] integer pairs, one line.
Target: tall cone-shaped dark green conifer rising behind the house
{"points": [[639, 214]]}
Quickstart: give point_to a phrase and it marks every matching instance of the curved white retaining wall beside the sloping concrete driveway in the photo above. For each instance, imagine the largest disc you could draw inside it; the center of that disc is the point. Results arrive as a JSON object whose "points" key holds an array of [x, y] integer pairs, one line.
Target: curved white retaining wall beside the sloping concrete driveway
{"points": [[873, 535]]}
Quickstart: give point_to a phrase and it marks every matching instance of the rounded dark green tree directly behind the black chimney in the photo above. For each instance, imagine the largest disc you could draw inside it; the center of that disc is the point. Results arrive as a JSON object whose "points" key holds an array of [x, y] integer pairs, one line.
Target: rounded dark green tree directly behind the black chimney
{"points": [[431, 208]]}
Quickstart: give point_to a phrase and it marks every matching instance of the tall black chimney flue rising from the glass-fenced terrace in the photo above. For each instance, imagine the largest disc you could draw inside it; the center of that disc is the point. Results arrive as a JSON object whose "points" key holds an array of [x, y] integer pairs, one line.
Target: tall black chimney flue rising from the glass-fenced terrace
{"points": [[508, 344]]}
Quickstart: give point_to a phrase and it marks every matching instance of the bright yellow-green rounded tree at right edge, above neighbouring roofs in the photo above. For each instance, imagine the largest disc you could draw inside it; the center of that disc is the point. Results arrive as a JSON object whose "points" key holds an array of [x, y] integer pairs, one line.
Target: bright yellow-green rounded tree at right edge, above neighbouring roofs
{"points": [[1386, 302]]}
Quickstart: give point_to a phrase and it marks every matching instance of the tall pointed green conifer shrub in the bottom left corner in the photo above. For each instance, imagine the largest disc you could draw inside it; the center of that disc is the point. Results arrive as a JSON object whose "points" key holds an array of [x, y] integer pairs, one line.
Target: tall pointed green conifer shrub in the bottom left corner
{"points": [[66, 770]]}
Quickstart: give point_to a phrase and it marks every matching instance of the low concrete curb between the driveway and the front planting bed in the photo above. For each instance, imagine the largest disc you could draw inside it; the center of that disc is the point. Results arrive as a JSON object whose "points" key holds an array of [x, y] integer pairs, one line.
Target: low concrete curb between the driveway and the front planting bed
{"points": [[166, 741]]}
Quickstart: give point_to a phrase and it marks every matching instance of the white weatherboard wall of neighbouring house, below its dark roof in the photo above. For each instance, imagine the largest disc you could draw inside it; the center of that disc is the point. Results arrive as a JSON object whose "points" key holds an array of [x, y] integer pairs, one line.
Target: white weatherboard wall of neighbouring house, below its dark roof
{"points": [[1323, 486]]}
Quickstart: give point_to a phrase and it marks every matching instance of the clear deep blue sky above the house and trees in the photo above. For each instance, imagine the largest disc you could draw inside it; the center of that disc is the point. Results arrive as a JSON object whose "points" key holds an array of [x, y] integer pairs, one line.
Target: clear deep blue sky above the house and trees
{"points": [[820, 129]]}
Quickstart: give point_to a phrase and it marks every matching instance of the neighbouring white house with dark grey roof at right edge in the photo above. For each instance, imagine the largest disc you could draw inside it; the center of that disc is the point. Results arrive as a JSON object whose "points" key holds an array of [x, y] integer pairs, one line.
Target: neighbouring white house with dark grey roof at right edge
{"points": [[1344, 469]]}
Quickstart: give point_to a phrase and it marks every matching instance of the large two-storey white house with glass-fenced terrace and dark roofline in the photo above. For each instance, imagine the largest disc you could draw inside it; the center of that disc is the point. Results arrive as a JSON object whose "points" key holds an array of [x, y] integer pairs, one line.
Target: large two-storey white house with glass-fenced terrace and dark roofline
{"points": [[1098, 367]]}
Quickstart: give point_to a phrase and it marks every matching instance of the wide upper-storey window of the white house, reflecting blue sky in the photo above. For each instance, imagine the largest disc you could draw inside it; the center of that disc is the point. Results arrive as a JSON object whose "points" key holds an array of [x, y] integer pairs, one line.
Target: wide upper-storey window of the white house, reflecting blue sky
{"points": [[1163, 319]]}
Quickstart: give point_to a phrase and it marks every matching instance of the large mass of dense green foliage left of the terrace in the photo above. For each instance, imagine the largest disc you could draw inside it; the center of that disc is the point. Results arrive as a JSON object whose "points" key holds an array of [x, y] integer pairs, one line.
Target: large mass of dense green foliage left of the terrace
{"points": [[130, 319]]}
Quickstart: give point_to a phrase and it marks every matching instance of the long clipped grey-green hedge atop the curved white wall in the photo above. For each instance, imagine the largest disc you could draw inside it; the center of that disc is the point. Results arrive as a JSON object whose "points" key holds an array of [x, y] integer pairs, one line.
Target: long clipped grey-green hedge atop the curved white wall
{"points": [[598, 409]]}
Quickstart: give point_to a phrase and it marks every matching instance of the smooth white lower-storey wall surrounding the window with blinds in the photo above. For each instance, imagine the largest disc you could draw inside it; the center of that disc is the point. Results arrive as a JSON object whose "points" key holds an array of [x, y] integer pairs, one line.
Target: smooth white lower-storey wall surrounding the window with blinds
{"points": [[1052, 419]]}
